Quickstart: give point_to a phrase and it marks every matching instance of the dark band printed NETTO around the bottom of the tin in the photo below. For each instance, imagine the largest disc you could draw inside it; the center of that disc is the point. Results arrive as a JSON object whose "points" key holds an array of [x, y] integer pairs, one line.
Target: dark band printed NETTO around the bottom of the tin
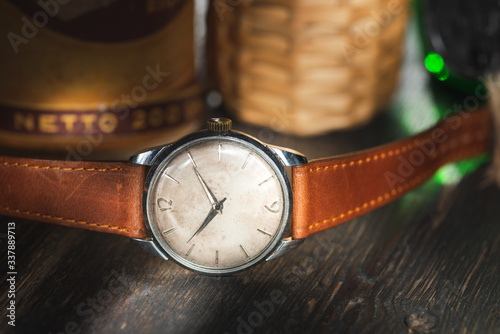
{"points": [[121, 120]]}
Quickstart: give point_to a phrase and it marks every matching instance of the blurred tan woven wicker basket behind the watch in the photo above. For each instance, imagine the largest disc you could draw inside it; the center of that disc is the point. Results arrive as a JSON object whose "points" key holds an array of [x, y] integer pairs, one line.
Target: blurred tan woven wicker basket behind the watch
{"points": [[305, 67]]}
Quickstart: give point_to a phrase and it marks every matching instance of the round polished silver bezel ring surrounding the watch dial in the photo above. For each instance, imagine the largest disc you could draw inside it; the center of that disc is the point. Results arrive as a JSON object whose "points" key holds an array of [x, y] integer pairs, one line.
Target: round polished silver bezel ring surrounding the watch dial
{"points": [[168, 152]]}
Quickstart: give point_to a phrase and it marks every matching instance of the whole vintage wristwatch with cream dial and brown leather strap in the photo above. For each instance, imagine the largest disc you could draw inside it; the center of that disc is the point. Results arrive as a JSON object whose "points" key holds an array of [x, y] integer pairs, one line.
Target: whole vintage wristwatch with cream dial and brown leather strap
{"points": [[219, 201]]}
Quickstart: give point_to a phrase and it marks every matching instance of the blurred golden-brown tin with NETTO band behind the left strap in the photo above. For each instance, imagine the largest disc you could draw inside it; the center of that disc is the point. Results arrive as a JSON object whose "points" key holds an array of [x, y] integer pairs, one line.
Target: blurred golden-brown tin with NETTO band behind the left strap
{"points": [[123, 69]]}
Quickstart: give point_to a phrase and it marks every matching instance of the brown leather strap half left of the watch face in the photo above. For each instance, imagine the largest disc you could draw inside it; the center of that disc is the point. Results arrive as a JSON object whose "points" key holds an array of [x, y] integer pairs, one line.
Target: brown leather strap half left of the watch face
{"points": [[98, 196]]}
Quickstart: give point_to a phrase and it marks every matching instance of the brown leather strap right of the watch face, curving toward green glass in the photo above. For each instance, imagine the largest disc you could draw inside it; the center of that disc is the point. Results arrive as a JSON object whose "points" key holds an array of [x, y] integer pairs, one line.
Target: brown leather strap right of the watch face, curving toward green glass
{"points": [[331, 191]]}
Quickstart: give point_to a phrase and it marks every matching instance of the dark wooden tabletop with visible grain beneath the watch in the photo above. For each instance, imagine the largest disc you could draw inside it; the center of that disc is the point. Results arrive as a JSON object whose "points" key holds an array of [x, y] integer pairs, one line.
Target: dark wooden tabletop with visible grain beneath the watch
{"points": [[427, 263]]}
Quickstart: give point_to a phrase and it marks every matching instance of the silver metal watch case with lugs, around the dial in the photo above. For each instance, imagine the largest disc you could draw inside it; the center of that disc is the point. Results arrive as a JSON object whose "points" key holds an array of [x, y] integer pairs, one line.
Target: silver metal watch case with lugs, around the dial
{"points": [[281, 157]]}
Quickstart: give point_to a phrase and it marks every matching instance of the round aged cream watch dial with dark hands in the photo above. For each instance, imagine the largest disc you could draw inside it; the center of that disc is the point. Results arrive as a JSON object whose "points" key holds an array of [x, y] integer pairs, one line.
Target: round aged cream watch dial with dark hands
{"points": [[218, 204]]}
